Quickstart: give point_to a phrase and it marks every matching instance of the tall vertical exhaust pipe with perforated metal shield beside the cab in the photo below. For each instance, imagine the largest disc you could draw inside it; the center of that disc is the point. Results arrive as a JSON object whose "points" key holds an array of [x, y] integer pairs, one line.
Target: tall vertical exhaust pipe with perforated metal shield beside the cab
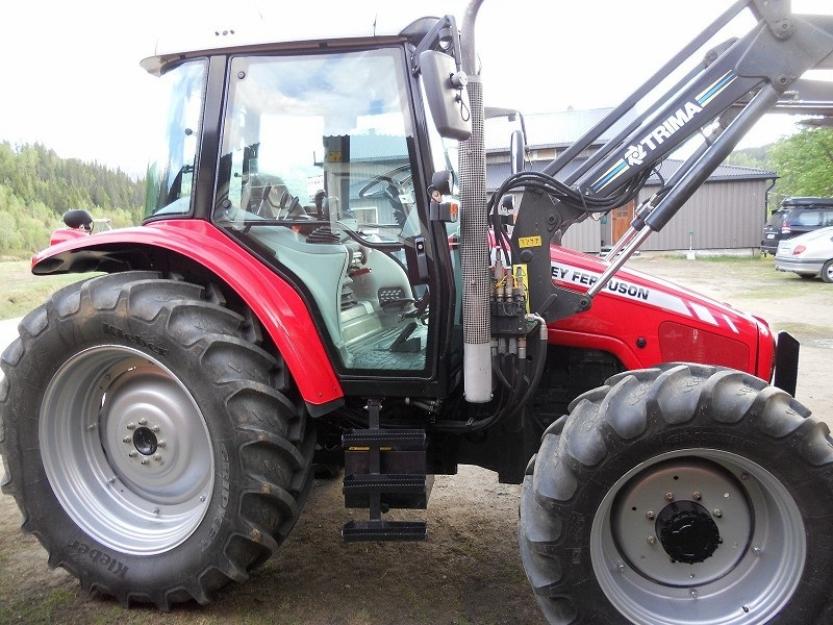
{"points": [[474, 231]]}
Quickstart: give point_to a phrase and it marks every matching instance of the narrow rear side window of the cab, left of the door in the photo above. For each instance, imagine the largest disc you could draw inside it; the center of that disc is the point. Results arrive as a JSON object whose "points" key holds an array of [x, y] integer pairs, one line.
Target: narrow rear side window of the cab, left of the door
{"points": [[170, 175]]}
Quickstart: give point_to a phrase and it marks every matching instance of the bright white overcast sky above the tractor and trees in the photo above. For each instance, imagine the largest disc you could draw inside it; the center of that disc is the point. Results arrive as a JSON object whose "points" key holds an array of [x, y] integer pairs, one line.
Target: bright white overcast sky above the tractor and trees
{"points": [[72, 80]]}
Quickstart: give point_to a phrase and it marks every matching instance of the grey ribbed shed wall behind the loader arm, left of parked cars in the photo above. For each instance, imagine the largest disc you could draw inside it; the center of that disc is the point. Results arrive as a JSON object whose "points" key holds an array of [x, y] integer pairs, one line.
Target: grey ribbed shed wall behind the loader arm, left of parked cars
{"points": [[721, 215]]}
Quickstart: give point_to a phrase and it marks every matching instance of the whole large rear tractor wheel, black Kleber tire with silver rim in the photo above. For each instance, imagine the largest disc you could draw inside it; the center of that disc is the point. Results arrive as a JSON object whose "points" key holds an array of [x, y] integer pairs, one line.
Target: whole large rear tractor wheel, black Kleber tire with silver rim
{"points": [[77, 380]]}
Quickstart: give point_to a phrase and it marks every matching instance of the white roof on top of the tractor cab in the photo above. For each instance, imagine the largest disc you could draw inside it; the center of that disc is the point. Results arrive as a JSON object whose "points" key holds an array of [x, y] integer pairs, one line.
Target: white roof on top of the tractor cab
{"points": [[292, 34]]}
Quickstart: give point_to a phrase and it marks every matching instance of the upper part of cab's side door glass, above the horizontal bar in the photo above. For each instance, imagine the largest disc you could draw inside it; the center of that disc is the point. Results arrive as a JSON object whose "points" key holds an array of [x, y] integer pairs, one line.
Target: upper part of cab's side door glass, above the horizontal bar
{"points": [[324, 138]]}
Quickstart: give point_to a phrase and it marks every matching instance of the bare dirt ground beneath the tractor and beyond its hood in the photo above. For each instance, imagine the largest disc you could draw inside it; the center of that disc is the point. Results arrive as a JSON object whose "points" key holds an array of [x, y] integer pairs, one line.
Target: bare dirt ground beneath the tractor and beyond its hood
{"points": [[469, 571]]}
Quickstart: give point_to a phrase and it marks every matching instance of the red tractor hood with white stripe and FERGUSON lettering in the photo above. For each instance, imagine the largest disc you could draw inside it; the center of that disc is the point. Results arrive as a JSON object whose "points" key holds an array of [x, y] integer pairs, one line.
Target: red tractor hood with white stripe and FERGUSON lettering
{"points": [[645, 320]]}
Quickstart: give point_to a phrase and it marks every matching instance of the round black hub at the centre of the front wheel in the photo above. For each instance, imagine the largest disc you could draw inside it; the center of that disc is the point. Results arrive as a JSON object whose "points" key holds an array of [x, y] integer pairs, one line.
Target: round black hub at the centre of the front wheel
{"points": [[687, 532]]}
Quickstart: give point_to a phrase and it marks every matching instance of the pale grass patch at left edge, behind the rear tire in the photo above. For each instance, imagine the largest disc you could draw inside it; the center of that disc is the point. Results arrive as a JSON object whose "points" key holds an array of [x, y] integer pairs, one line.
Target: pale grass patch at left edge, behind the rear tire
{"points": [[20, 291]]}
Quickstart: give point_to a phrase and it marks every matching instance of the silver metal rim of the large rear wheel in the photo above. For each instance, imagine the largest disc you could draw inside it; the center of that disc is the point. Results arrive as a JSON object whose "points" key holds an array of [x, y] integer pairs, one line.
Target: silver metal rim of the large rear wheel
{"points": [[126, 450]]}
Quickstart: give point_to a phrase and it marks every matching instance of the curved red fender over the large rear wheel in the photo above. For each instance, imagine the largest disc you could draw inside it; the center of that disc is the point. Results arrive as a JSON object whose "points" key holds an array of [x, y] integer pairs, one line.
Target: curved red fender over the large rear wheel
{"points": [[278, 307]]}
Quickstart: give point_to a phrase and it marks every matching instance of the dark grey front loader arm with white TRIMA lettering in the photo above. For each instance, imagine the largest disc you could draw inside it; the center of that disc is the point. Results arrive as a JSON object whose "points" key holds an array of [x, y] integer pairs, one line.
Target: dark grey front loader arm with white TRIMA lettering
{"points": [[722, 97]]}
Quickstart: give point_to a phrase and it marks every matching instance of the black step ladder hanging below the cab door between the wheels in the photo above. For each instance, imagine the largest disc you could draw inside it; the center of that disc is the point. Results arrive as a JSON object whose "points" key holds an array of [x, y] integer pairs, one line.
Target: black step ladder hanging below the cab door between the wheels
{"points": [[384, 469]]}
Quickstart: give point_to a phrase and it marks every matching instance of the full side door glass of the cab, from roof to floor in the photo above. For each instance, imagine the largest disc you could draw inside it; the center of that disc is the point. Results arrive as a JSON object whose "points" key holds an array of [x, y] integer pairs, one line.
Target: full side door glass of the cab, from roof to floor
{"points": [[317, 166]]}
